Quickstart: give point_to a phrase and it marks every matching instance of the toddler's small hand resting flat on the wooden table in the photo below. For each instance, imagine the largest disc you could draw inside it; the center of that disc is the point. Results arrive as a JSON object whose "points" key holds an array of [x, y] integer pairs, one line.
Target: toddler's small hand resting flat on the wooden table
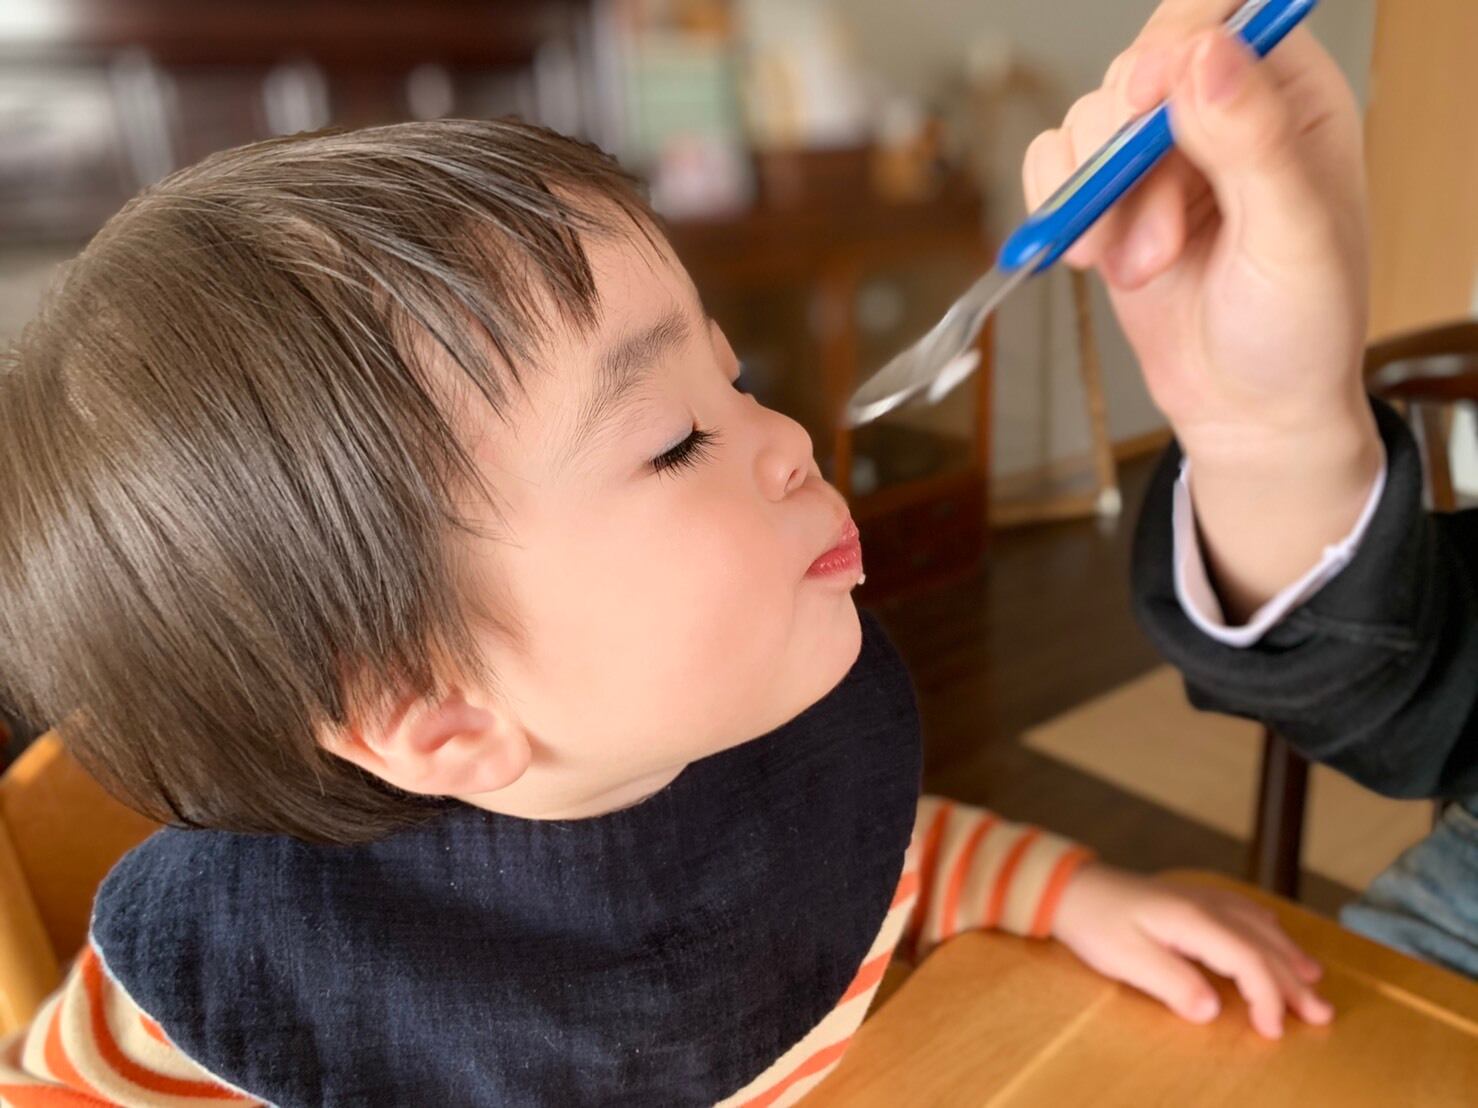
{"points": [[1145, 933]]}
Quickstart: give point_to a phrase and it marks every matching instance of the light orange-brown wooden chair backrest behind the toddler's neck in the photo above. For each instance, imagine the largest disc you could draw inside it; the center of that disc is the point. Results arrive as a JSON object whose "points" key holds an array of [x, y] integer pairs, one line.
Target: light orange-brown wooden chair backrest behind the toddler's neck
{"points": [[60, 835]]}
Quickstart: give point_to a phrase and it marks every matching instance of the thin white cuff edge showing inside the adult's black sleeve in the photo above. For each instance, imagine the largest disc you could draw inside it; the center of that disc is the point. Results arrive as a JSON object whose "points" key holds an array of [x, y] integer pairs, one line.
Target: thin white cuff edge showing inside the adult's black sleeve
{"points": [[1199, 601]]}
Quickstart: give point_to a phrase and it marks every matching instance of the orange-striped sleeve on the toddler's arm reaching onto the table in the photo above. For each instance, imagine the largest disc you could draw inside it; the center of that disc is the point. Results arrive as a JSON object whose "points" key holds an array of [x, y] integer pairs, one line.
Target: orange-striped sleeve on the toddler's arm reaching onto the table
{"points": [[978, 871]]}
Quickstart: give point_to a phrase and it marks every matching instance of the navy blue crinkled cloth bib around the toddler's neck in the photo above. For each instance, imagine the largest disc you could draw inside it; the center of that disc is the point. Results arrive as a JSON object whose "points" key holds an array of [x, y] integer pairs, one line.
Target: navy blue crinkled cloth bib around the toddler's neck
{"points": [[661, 955]]}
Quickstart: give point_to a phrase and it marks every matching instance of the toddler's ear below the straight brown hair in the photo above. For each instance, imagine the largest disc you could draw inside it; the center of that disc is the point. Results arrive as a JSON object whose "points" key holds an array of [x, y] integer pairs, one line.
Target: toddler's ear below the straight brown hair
{"points": [[454, 745]]}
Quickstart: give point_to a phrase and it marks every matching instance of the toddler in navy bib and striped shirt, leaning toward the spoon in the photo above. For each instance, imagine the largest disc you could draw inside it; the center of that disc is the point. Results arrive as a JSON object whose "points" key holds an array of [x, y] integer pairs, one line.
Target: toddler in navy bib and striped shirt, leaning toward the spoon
{"points": [[382, 512]]}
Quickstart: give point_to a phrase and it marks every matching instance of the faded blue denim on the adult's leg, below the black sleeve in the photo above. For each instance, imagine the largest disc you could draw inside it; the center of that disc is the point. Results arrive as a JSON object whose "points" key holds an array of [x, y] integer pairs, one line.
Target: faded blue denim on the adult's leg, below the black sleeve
{"points": [[1427, 903]]}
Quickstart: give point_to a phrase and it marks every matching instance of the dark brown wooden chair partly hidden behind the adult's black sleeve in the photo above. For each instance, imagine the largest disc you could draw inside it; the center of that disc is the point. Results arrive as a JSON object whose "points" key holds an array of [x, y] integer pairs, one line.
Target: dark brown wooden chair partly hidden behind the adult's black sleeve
{"points": [[1423, 373]]}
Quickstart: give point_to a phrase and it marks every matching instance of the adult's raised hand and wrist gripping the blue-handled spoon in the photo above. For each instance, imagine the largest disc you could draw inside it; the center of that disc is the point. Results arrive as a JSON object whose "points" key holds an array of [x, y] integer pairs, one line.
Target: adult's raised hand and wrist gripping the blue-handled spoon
{"points": [[1239, 274]]}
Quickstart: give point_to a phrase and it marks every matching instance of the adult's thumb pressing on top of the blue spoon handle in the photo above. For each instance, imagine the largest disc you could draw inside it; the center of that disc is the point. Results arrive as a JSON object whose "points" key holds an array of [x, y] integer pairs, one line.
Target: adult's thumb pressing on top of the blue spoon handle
{"points": [[1239, 131]]}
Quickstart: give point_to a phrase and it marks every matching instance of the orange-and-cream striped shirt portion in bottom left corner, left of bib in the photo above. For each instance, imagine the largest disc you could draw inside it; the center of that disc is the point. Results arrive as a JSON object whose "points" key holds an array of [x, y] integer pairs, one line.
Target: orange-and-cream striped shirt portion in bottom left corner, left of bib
{"points": [[92, 1045]]}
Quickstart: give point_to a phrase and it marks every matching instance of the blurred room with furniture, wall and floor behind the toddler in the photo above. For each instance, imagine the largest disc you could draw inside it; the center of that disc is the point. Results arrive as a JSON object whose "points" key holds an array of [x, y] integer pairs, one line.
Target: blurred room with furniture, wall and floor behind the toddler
{"points": [[834, 174]]}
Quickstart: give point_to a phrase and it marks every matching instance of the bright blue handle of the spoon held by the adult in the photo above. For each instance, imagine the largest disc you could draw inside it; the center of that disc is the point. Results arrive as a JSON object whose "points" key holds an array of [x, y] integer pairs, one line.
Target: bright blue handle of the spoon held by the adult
{"points": [[1134, 151]]}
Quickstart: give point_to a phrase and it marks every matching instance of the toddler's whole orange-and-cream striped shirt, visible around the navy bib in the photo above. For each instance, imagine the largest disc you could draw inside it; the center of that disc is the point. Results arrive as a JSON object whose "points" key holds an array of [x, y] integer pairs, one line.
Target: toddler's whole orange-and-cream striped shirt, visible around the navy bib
{"points": [[966, 869]]}
